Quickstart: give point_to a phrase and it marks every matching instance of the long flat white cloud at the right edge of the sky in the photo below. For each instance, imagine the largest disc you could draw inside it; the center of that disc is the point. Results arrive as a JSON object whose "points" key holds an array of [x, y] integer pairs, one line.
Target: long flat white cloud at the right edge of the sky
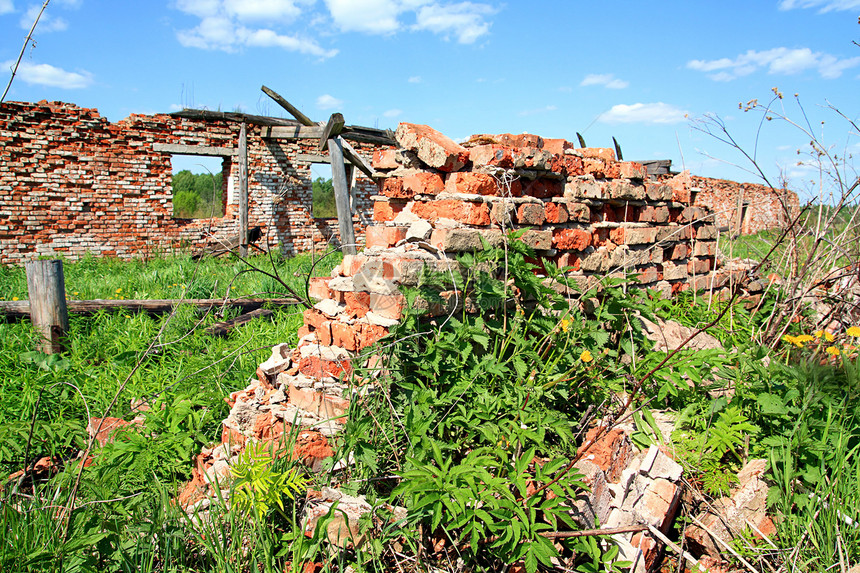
{"points": [[776, 61]]}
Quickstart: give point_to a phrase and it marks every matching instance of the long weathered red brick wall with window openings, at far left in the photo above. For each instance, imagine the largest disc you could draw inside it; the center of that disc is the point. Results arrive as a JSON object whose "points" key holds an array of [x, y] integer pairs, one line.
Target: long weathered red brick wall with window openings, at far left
{"points": [[73, 183]]}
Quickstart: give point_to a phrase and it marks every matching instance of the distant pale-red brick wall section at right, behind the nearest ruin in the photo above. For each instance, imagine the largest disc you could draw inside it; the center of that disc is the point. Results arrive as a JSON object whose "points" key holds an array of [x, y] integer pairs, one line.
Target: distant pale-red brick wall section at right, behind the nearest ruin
{"points": [[745, 208]]}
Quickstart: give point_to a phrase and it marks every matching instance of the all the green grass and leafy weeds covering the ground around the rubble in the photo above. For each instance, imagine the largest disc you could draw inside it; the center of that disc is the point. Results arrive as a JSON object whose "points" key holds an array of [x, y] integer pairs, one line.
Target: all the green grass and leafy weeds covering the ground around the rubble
{"points": [[461, 412]]}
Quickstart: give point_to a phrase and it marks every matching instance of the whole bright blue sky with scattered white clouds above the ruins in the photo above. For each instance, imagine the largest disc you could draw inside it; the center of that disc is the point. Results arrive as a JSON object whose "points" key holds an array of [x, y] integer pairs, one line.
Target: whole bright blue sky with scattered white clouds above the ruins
{"points": [[643, 72]]}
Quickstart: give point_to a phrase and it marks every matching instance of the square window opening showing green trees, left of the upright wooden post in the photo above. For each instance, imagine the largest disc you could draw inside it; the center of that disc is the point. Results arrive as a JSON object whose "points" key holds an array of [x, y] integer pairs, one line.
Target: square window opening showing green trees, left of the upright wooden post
{"points": [[199, 185]]}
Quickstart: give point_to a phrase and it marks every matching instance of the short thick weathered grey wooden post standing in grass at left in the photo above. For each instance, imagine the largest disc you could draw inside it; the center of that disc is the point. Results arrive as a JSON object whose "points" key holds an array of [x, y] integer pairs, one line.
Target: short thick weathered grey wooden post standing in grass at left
{"points": [[47, 292]]}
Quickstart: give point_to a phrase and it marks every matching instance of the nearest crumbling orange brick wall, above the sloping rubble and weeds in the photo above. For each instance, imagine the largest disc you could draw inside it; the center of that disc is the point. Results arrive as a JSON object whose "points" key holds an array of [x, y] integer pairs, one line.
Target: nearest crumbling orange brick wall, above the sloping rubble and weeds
{"points": [[583, 209]]}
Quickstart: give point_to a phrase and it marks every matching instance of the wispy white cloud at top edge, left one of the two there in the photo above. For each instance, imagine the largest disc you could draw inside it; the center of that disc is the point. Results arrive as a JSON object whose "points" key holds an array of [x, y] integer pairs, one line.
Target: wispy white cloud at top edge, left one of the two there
{"points": [[222, 26]]}
